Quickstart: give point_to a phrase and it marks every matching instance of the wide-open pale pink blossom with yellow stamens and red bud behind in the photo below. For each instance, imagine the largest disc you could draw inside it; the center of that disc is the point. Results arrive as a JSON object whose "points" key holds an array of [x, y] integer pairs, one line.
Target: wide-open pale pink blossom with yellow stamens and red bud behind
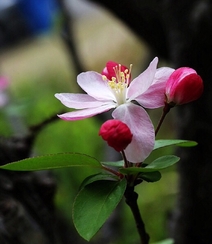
{"points": [[115, 90]]}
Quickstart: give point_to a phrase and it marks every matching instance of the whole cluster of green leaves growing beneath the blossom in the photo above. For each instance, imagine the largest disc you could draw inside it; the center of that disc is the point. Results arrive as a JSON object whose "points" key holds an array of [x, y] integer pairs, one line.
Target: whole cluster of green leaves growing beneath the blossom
{"points": [[99, 194]]}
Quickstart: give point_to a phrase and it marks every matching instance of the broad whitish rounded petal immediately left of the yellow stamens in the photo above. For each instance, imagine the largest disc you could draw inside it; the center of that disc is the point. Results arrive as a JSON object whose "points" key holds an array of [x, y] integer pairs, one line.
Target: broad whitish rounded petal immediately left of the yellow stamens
{"points": [[93, 83]]}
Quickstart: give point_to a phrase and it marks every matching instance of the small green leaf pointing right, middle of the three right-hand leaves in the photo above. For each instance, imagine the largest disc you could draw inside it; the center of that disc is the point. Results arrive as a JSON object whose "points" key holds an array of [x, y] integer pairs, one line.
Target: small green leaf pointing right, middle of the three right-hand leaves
{"points": [[158, 164]]}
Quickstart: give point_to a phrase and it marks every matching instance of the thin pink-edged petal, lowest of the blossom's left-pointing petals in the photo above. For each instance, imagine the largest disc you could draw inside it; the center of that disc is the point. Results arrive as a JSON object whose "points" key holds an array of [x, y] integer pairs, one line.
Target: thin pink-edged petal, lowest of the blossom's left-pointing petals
{"points": [[86, 113]]}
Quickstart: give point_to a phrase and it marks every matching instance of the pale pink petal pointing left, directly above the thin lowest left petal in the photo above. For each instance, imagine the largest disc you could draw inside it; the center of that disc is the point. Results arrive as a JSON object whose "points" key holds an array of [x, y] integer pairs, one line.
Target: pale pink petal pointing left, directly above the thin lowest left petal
{"points": [[78, 101]]}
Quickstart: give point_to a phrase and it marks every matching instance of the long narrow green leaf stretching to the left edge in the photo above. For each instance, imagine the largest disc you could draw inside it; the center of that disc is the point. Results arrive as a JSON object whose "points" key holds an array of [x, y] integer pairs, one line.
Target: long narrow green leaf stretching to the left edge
{"points": [[53, 161]]}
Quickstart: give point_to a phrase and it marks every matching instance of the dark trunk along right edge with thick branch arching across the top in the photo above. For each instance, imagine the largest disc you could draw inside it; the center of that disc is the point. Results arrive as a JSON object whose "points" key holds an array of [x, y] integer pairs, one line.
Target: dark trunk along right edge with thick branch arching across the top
{"points": [[181, 32]]}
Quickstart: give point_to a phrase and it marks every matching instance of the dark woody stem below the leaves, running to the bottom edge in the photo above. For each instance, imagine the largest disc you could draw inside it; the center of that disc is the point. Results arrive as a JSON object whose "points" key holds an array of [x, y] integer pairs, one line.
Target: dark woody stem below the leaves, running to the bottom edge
{"points": [[131, 199]]}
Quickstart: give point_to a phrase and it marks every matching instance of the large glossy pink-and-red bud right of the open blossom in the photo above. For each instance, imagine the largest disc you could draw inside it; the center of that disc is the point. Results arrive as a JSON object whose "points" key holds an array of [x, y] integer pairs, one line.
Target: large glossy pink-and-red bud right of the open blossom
{"points": [[183, 86]]}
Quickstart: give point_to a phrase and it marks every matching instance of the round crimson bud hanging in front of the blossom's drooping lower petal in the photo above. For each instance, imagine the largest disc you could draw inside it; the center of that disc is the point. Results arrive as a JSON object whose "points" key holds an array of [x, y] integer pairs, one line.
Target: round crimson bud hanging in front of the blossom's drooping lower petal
{"points": [[116, 133]]}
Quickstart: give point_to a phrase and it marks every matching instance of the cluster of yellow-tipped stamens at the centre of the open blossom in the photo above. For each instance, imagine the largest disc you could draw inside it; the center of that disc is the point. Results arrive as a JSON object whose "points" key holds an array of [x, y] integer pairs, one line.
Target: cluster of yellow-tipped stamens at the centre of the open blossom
{"points": [[119, 83]]}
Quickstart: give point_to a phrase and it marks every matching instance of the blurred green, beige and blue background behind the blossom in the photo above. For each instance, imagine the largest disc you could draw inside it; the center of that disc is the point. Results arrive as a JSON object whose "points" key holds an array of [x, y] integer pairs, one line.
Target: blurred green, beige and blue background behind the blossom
{"points": [[38, 60]]}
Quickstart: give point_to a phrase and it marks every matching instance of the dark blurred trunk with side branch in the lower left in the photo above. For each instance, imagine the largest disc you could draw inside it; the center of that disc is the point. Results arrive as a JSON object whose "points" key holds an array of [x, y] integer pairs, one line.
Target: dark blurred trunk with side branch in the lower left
{"points": [[27, 212]]}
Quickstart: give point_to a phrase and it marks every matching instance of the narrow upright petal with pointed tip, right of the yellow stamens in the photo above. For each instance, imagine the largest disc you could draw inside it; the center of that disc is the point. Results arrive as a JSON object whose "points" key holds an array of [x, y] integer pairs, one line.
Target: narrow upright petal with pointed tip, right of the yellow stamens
{"points": [[140, 84]]}
